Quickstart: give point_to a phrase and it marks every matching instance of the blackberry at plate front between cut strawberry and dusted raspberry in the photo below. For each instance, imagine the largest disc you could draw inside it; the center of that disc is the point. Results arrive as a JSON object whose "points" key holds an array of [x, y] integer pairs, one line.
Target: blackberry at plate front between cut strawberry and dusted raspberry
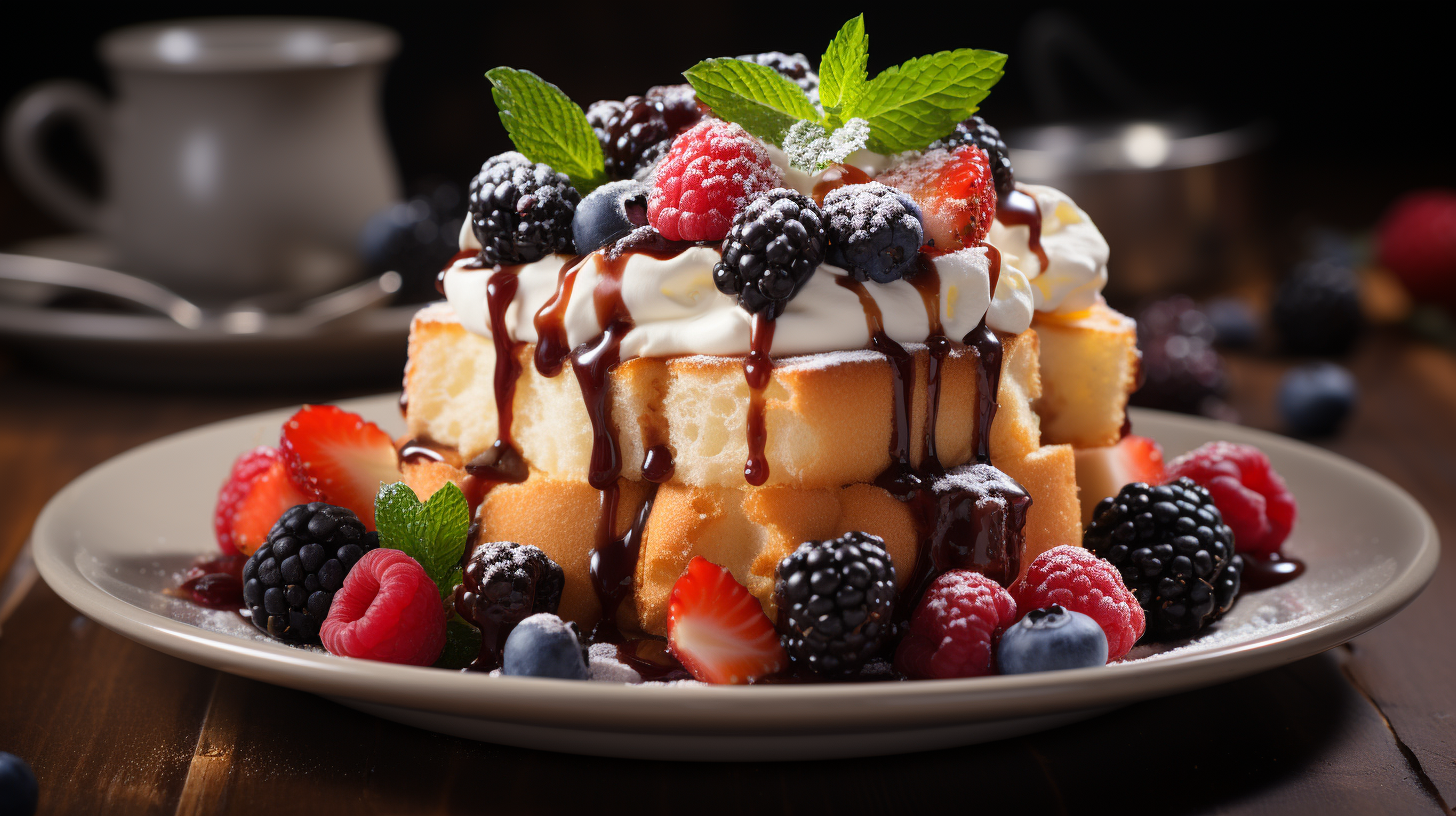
{"points": [[836, 600]]}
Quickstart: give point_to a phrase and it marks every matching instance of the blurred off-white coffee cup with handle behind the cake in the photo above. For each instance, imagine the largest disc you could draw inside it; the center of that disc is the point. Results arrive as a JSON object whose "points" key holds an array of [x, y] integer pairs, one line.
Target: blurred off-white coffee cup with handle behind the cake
{"points": [[242, 155]]}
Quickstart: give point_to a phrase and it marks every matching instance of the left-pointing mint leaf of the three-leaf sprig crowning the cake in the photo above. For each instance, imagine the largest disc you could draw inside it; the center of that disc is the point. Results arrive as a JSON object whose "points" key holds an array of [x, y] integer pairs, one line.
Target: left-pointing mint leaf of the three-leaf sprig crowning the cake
{"points": [[756, 97]]}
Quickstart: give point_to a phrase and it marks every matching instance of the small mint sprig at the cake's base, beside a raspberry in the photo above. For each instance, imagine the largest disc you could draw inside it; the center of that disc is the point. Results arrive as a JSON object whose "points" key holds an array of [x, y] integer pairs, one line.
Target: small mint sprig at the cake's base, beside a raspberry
{"points": [[432, 533]]}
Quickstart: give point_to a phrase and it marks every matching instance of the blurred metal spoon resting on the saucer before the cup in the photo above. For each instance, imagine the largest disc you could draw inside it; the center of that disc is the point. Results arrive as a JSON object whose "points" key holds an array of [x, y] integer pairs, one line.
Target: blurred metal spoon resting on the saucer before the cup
{"points": [[241, 318]]}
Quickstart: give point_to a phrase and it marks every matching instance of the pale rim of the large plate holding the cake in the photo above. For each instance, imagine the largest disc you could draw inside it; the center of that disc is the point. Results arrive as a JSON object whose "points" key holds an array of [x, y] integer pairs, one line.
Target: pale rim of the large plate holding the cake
{"points": [[621, 707]]}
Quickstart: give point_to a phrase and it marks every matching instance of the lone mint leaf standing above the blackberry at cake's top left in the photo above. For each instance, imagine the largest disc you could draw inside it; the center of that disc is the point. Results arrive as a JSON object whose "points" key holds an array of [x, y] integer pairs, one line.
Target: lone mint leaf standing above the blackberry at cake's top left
{"points": [[548, 127]]}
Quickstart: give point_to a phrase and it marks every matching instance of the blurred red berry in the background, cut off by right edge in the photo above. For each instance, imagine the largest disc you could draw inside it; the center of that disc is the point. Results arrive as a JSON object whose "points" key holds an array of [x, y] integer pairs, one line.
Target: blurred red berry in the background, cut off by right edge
{"points": [[1419, 244]]}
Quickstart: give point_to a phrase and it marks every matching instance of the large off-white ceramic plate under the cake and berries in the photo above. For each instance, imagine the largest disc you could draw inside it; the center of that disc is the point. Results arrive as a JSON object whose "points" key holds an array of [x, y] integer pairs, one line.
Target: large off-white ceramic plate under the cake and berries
{"points": [[117, 537]]}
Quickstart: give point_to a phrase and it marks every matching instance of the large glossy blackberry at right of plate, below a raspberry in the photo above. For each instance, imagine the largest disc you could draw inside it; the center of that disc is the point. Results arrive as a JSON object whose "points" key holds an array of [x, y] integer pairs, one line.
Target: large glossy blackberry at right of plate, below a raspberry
{"points": [[1174, 553]]}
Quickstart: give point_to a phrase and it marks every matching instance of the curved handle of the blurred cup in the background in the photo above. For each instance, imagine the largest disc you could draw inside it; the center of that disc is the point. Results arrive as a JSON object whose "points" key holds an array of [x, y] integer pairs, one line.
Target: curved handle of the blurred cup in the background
{"points": [[25, 127]]}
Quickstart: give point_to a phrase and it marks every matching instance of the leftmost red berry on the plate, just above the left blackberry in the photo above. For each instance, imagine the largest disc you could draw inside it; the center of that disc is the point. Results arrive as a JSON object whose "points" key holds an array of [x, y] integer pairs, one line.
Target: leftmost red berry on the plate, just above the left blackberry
{"points": [[256, 495]]}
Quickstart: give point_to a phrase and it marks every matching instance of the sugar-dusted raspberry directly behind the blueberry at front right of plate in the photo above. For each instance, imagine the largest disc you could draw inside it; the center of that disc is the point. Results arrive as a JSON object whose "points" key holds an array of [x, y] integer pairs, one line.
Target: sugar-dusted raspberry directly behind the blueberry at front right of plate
{"points": [[1081, 582]]}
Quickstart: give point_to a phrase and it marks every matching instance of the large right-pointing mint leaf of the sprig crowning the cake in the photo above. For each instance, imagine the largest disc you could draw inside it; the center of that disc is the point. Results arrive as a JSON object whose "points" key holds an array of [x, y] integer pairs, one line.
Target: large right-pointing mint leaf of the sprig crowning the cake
{"points": [[915, 104]]}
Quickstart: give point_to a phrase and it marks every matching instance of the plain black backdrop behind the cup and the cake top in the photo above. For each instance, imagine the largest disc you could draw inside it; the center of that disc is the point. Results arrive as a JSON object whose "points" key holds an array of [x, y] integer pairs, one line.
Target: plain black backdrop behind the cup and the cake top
{"points": [[1358, 101]]}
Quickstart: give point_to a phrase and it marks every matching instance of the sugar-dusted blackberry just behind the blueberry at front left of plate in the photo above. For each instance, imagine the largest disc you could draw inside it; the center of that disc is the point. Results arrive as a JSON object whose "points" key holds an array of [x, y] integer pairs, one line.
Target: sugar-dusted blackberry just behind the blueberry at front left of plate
{"points": [[506, 584]]}
